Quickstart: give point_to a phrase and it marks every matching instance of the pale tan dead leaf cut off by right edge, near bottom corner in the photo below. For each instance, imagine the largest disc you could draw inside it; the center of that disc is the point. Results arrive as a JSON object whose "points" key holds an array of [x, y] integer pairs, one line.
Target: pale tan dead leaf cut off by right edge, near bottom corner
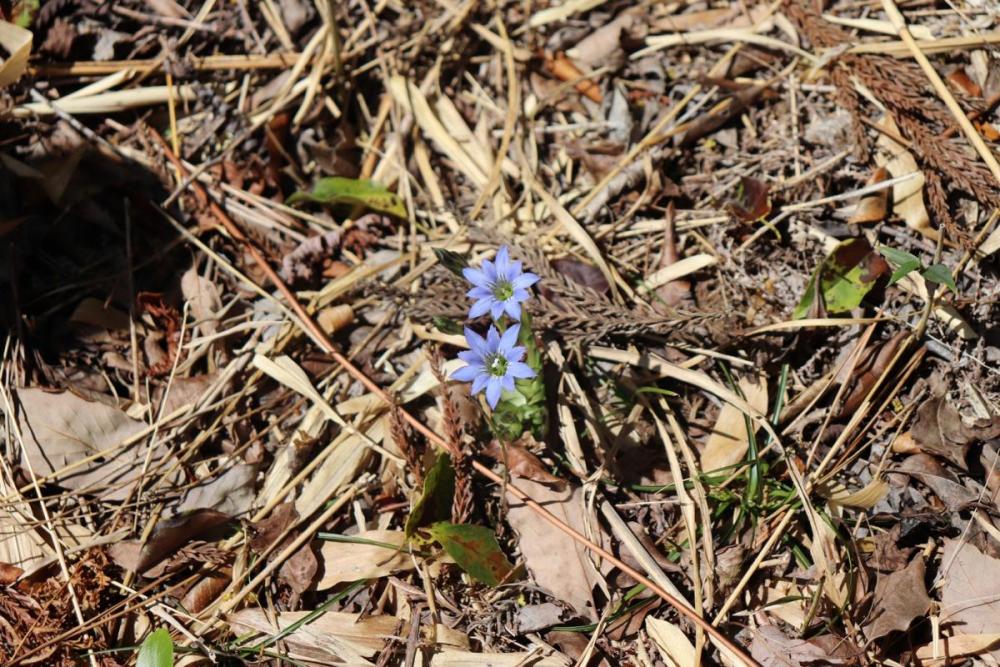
{"points": [[970, 591]]}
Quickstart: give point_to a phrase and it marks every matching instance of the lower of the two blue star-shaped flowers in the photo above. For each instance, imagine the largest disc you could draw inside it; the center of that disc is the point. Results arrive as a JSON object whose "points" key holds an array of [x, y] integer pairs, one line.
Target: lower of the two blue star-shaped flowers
{"points": [[493, 363]]}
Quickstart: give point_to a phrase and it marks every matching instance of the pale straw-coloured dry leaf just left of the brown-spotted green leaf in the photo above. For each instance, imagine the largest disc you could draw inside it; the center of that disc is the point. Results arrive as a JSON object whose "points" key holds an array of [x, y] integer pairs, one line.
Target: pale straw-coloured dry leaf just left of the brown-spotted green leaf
{"points": [[377, 553]]}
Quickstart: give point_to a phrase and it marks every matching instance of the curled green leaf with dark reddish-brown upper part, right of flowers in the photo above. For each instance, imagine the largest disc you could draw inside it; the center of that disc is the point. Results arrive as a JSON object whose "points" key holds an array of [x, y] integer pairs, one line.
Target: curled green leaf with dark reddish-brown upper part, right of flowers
{"points": [[843, 279]]}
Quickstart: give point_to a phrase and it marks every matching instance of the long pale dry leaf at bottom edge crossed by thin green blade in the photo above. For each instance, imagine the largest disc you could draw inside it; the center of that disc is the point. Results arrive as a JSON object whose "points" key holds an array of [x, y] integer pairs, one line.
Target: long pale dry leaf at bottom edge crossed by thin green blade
{"points": [[335, 636]]}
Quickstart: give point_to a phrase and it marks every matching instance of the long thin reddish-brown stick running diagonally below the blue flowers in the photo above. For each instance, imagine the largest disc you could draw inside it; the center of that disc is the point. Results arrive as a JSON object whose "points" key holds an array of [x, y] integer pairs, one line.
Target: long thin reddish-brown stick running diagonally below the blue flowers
{"points": [[324, 341]]}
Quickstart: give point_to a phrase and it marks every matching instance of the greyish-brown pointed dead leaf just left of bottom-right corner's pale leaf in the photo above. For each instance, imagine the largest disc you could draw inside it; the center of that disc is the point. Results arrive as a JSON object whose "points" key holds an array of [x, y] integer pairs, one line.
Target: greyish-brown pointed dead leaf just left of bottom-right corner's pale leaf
{"points": [[900, 597]]}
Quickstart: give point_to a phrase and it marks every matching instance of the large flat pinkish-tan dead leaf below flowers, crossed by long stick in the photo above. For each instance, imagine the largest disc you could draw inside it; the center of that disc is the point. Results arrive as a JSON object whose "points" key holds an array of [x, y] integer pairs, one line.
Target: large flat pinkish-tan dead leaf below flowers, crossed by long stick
{"points": [[555, 561]]}
